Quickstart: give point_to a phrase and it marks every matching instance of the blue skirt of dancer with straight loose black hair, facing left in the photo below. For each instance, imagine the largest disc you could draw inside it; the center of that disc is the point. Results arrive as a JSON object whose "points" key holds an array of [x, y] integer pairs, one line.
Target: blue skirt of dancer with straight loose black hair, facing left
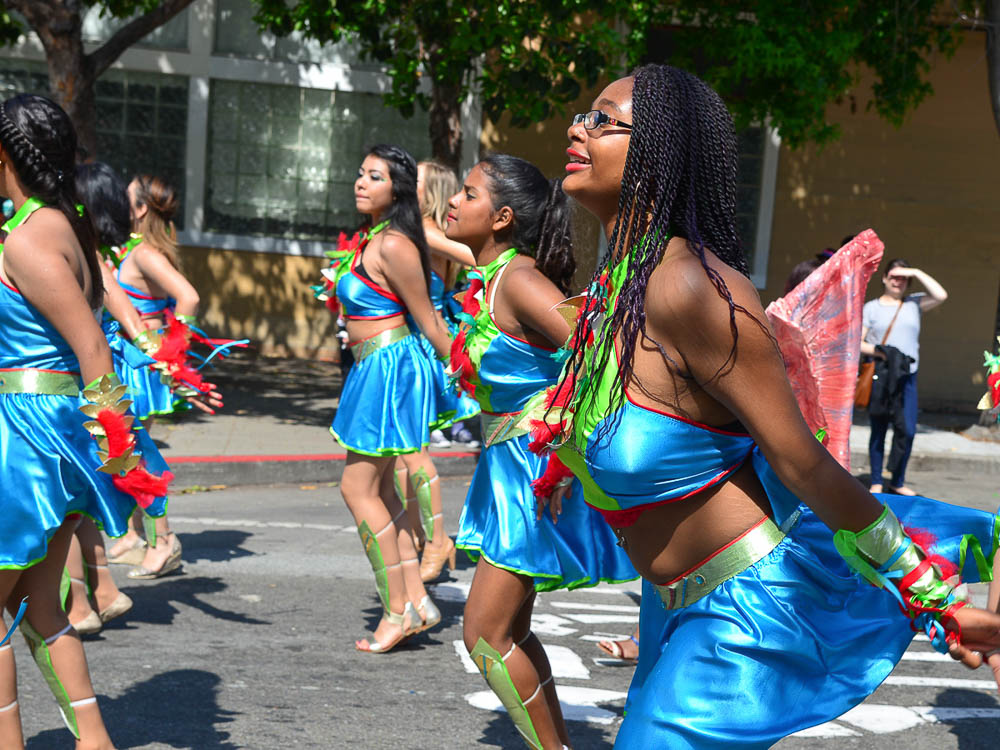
{"points": [[385, 402]]}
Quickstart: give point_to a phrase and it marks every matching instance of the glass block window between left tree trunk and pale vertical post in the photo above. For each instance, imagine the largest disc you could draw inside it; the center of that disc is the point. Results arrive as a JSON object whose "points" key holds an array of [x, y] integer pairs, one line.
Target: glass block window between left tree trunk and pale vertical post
{"points": [[142, 126]]}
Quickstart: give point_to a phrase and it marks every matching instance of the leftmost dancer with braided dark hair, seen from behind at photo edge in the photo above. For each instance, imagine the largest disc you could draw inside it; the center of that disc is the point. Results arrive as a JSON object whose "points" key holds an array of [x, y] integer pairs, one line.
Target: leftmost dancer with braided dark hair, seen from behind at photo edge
{"points": [[52, 344]]}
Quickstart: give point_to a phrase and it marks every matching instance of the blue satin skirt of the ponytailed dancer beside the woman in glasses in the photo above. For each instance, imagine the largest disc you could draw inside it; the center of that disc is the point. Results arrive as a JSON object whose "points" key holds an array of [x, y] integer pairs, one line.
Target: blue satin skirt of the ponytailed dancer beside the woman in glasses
{"points": [[498, 522]]}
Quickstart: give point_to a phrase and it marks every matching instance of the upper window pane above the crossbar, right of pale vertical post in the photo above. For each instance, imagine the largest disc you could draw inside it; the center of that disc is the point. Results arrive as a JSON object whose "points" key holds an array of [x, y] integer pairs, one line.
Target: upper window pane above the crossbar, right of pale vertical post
{"points": [[237, 34]]}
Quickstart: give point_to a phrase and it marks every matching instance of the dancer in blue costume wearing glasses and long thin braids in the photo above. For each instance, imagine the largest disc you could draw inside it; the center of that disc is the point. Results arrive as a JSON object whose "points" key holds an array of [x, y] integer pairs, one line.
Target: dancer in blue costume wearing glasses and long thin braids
{"points": [[676, 414]]}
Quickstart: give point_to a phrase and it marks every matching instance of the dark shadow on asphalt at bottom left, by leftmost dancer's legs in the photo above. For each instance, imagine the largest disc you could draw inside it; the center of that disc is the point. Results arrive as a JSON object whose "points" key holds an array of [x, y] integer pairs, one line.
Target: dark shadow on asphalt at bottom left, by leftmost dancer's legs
{"points": [[175, 709]]}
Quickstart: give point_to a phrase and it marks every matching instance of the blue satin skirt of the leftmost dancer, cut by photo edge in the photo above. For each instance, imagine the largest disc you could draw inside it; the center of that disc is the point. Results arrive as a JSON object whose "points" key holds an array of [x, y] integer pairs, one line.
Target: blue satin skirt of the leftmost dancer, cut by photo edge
{"points": [[48, 470]]}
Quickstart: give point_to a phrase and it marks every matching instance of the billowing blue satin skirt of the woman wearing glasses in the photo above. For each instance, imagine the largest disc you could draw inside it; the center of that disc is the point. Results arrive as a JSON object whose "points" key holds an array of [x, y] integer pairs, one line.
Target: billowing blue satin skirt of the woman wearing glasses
{"points": [[793, 641]]}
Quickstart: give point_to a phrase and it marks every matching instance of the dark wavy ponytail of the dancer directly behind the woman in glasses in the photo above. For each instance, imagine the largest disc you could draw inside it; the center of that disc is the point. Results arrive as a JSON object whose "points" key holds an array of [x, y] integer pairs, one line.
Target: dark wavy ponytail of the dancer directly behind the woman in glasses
{"points": [[542, 215]]}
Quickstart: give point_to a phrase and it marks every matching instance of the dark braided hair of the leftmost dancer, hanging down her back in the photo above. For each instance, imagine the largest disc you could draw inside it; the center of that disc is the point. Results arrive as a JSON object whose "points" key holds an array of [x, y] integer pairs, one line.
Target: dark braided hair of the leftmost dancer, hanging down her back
{"points": [[40, 142]]}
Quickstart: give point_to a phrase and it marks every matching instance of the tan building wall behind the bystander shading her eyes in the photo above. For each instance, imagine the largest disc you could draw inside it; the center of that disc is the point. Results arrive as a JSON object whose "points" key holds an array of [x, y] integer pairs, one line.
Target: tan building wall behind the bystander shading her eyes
{"points": [[931, 190]]}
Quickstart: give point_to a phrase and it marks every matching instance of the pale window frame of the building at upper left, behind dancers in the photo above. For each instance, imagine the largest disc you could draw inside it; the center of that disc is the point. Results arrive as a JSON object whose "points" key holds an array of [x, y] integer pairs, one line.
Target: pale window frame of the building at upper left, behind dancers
{"points": [[201, 65]]}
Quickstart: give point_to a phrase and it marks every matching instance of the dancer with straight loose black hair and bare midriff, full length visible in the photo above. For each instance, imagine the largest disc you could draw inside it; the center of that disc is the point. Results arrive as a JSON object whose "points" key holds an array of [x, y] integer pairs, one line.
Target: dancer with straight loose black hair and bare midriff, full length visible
{"points": [[386, 399]]}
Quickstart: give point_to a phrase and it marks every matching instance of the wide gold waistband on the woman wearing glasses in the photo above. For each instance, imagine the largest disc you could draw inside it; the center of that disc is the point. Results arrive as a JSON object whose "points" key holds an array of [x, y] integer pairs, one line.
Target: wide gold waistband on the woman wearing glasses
{"points": [[731, 560]]}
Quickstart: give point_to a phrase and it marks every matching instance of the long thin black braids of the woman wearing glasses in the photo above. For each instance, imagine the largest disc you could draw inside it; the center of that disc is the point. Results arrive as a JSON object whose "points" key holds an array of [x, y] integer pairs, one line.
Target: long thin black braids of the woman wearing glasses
{"points": [[679, 180]]}
